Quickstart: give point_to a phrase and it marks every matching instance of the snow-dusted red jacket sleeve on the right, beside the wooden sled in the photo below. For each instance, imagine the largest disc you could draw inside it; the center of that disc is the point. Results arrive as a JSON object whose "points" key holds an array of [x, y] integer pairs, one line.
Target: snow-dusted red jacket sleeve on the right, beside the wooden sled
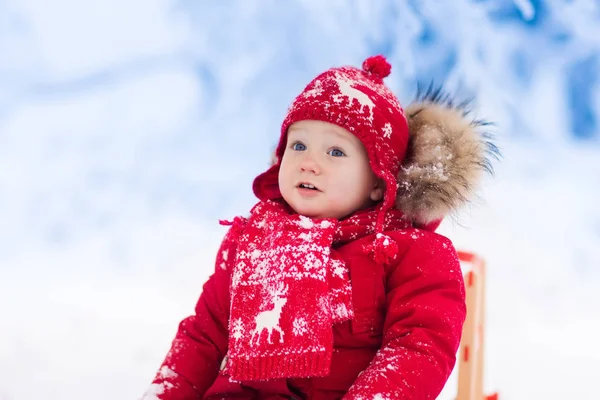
{"points": [[425, 313]]}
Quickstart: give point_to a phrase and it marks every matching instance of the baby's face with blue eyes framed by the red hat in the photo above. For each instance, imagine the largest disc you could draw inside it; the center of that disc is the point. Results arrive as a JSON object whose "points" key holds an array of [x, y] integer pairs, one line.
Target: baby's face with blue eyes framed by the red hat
{"points": [[325, 171]]}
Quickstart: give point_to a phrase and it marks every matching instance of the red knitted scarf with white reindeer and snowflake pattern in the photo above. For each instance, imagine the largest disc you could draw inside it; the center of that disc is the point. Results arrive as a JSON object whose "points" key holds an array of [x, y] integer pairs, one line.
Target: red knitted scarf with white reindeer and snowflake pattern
{"points": [[288, 288]]}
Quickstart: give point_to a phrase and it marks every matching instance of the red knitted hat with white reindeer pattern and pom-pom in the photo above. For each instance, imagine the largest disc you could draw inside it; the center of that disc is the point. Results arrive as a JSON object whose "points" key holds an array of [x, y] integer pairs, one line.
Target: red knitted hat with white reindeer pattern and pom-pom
{"points": [[358, 101]]}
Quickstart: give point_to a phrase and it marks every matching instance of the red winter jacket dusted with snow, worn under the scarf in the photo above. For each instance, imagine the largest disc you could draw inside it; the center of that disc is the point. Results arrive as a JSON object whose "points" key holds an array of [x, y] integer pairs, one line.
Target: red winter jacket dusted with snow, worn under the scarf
{"points": [[401, 343]]}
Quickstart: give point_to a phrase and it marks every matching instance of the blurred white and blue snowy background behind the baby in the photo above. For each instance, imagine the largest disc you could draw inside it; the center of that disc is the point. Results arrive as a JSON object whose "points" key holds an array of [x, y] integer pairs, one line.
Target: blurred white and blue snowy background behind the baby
{"points": [[127, 128]]}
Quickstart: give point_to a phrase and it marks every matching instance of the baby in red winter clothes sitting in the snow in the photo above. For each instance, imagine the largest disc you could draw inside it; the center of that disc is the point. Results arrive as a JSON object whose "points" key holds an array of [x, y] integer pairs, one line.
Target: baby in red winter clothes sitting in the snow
{"points": [[335, 285]]}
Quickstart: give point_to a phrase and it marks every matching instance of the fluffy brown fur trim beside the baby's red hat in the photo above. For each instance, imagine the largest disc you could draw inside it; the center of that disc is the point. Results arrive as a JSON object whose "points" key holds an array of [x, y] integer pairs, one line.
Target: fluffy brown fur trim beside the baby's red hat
{"points": [[447, 154]]}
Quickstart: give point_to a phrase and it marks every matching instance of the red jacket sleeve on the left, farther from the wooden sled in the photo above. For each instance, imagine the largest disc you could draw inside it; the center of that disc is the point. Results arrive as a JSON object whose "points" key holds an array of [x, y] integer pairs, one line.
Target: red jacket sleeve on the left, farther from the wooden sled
{"points": [[193, 362]]}
